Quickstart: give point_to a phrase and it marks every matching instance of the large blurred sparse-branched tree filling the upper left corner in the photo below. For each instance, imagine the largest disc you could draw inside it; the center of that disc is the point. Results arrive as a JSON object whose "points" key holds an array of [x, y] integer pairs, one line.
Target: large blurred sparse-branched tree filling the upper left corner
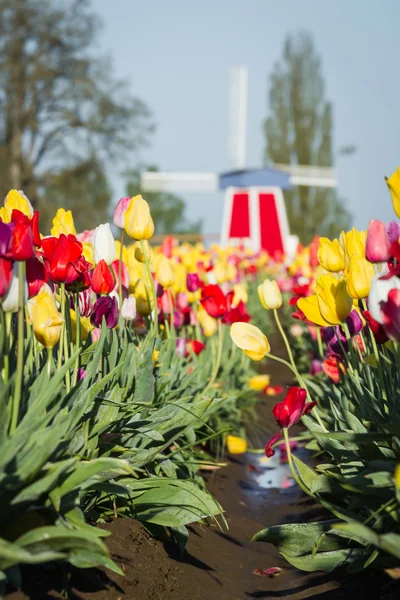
{"points": [[61, 111]]}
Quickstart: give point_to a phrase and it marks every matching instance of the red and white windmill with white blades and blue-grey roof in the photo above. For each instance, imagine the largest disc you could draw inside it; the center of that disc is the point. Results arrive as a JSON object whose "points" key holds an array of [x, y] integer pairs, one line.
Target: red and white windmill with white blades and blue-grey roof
{"points": [[254, 208]]}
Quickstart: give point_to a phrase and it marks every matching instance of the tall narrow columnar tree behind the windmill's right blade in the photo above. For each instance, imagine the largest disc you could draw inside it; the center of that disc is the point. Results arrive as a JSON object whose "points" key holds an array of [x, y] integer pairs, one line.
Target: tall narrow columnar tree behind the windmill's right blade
{"points": [[299, 131]]}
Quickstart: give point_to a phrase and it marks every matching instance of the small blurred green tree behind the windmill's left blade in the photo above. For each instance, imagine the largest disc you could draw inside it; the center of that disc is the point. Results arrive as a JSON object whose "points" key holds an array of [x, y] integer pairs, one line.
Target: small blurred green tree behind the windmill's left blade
{"points": [[167, 210]]}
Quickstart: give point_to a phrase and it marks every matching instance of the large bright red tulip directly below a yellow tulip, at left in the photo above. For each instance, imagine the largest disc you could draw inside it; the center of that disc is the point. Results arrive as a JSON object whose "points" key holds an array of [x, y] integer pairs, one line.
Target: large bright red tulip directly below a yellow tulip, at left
{"points": [[64, 261]]}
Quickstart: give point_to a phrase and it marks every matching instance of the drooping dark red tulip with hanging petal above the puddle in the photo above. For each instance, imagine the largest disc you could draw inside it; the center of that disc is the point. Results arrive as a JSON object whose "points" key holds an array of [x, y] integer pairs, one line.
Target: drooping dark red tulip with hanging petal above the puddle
{"points": [[289, 412]]}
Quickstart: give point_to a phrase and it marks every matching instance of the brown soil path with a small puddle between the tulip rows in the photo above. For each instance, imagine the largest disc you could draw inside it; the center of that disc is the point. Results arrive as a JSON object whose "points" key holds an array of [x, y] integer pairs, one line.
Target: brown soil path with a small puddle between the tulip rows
{"points": [[218, 563]]}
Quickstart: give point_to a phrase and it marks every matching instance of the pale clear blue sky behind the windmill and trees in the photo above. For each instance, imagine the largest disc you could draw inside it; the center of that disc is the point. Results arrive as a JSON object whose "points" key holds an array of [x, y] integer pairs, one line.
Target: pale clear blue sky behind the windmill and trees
{"points": [[177, 55]]}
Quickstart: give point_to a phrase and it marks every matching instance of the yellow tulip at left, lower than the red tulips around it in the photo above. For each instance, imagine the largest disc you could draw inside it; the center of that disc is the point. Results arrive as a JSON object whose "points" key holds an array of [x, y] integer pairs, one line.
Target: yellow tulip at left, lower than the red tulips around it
{"points": [[44, 317]]}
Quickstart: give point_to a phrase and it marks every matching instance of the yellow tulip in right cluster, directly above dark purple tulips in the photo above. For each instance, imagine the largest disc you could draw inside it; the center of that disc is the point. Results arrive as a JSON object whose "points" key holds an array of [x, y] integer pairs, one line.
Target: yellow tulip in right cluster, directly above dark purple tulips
{"points": [[334, 302]]}
